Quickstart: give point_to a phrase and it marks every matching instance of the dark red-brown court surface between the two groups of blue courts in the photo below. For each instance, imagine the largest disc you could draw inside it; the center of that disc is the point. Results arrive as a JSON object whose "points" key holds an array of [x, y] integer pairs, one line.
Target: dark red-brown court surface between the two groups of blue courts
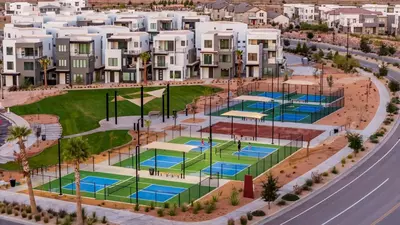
{"points": [[247, 130]]}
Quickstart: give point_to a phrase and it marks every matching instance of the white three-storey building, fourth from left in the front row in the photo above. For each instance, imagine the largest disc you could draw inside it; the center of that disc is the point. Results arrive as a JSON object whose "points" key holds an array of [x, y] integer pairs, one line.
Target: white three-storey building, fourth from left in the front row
{"points": [[174, 55]]}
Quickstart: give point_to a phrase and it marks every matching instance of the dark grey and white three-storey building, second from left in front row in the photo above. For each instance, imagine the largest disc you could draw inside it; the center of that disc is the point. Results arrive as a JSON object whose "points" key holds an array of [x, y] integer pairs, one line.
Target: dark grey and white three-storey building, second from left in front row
{"points": [[79, 59]]}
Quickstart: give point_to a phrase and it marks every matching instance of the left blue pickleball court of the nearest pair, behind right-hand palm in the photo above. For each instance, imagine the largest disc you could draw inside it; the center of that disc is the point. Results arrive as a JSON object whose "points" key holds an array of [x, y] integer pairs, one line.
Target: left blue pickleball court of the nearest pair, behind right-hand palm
{"points": [[92, 184]]}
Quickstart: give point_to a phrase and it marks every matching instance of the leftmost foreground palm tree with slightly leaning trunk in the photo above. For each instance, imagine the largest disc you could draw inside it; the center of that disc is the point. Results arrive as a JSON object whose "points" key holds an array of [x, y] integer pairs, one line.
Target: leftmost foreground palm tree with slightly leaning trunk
{"points": [[20, 134]]}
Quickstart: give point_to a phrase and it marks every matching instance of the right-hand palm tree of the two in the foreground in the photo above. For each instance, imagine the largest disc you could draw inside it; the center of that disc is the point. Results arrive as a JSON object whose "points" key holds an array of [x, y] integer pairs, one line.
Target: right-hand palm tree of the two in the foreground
{"points": [[77, 151]]}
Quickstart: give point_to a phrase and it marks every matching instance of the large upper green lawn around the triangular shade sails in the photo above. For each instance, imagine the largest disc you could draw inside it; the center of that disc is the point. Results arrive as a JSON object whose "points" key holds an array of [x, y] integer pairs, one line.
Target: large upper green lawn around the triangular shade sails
{"points": [[81, 110]]}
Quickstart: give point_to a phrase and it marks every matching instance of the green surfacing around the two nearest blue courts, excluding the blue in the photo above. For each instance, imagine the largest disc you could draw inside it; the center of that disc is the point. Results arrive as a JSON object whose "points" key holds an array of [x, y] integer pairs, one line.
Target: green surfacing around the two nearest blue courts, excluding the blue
{"points": [[193, 192]]}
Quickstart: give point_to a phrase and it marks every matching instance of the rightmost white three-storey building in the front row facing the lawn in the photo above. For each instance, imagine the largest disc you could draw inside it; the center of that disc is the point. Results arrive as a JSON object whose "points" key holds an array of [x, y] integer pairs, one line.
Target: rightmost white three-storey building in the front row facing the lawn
{"points": [[264, 53]]}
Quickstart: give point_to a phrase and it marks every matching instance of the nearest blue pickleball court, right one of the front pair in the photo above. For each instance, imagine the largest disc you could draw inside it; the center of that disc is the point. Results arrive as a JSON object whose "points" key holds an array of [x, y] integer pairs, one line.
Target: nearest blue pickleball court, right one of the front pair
{"points": [[158, 193]]}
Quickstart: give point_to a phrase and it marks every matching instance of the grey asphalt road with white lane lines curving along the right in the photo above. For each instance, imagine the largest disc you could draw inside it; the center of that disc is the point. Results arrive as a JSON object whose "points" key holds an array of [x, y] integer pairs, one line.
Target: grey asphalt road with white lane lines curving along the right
{"points": [[369, 194]]}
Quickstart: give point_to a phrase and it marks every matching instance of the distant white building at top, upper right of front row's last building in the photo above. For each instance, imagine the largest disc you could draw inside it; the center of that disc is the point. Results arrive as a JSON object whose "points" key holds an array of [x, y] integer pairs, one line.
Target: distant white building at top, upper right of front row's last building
{"points": [[300, 12]]}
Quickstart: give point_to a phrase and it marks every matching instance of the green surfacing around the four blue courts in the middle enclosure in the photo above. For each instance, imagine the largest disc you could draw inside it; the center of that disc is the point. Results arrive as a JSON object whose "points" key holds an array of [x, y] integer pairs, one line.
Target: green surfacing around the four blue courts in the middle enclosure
{"points": [[254, 165]]}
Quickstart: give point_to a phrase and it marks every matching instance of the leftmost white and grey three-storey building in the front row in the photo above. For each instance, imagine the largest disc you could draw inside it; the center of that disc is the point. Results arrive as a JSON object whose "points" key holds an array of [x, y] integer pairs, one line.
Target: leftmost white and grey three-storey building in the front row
{"points": [[21, 60]]}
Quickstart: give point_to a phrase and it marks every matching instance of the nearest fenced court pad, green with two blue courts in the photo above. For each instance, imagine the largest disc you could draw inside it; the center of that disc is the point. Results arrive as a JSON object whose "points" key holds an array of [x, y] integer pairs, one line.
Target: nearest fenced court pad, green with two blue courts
{"points": [[122, 188]]}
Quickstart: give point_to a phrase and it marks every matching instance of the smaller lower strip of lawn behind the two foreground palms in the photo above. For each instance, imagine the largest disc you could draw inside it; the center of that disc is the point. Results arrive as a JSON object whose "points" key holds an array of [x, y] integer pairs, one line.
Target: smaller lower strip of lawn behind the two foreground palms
{"points": [[98, 142]]}
